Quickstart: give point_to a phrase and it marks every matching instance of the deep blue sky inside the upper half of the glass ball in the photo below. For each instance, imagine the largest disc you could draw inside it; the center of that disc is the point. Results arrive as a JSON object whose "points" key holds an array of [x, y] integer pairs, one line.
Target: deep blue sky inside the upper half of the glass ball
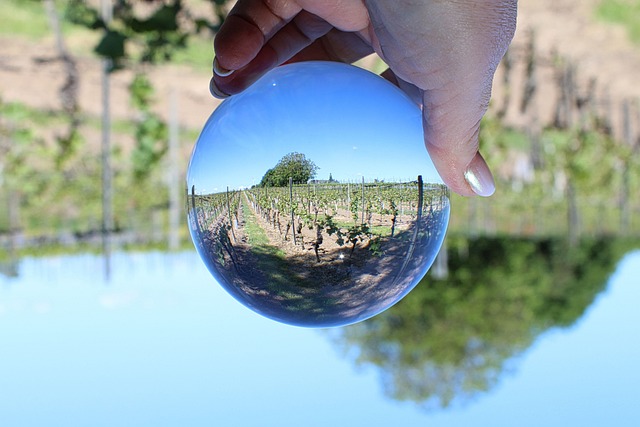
{"points": [[349, 122]]}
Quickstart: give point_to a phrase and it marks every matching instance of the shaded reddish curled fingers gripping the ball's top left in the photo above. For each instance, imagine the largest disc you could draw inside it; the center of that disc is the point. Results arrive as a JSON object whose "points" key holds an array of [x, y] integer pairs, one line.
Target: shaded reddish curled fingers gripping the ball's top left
{"points": [[258, 35]]}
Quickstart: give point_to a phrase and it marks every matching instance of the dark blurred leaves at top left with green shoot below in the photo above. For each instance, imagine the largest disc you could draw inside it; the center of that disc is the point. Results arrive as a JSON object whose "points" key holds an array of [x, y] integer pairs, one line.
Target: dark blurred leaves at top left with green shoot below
{"points": [[135, 37]]}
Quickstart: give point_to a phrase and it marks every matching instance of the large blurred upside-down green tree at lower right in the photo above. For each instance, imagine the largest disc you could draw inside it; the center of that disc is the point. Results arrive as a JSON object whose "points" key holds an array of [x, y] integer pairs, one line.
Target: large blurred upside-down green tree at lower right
{"points": [[452, 339]]}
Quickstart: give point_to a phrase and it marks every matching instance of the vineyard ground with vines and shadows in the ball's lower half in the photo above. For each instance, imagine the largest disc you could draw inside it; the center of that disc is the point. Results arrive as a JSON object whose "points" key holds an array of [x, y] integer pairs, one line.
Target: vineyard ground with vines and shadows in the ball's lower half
{"points": [[334, 246]]}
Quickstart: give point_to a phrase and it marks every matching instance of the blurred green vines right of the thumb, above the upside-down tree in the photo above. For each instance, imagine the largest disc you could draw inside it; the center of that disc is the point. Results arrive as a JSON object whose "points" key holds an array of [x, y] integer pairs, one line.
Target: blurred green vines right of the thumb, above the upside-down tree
{"points": [[589, 160]]}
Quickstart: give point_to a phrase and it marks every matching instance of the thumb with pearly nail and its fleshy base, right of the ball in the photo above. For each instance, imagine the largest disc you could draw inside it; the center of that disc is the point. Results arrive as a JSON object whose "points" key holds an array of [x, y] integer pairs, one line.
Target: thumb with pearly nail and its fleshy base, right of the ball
{"points": [[450, 51]]}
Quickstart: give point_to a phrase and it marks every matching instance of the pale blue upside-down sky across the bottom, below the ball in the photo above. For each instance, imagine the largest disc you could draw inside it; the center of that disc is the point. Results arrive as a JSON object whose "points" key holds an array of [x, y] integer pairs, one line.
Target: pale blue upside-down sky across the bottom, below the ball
{"points": [[162, 344]]}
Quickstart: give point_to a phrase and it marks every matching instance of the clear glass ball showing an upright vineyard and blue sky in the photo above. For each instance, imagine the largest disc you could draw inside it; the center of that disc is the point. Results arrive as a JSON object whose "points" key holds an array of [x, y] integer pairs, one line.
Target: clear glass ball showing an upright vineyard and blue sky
{"points": [[311, 197]]}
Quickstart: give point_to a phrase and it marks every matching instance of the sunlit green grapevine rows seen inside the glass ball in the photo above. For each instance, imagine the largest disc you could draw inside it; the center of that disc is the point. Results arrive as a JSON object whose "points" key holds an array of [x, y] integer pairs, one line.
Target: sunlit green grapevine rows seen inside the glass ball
{"points": [[353, 214]]}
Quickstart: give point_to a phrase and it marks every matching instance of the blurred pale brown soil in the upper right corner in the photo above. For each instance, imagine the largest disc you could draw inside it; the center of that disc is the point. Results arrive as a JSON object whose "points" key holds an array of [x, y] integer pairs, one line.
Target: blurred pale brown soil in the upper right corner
{"points": [[601, 53]]}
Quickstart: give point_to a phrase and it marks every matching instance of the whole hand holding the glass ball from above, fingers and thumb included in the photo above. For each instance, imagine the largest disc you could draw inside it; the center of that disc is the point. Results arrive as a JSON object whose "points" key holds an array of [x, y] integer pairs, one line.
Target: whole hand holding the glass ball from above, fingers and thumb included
{"points": [[443, 53]]}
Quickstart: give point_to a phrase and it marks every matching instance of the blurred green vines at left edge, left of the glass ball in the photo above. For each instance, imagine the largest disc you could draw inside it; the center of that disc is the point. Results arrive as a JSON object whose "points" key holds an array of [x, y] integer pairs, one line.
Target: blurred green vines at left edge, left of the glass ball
{"points": [[57, 197]]}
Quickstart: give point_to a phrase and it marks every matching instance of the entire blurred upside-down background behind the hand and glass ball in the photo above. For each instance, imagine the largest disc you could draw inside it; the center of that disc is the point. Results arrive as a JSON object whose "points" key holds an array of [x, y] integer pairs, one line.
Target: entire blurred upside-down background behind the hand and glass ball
{"points": [[107, 317]]}
